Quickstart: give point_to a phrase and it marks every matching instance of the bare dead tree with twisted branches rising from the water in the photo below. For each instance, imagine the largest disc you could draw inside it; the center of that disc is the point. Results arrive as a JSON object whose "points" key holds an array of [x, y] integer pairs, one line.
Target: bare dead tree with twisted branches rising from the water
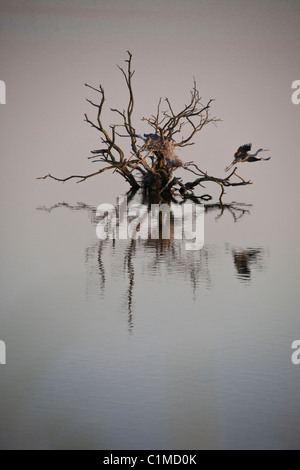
{"points": [[152, 165]]}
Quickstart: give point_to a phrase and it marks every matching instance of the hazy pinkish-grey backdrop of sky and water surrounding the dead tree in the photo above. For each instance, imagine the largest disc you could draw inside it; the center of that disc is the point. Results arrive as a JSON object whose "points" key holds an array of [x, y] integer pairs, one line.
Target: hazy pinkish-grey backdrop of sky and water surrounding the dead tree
{"points": [[245, 55]]}
